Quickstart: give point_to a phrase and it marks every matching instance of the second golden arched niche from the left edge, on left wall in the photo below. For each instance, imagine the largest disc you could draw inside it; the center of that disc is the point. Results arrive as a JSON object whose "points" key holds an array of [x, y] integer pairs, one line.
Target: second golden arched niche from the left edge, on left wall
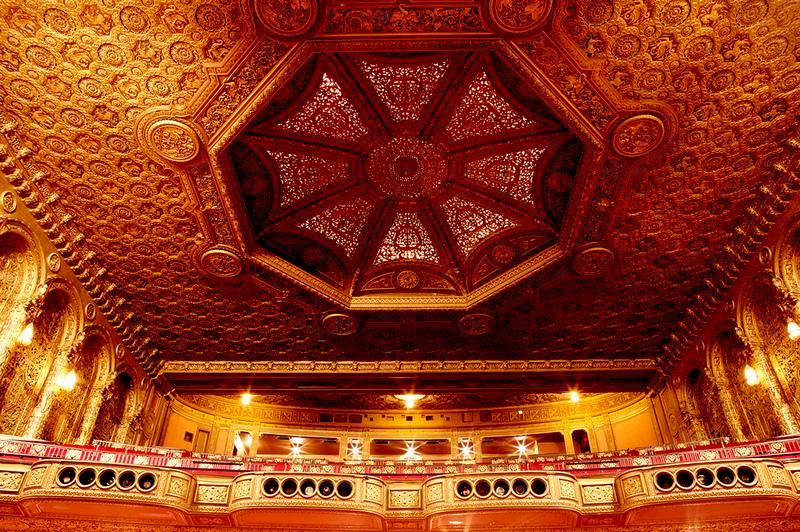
{"points": [[27, 366]]}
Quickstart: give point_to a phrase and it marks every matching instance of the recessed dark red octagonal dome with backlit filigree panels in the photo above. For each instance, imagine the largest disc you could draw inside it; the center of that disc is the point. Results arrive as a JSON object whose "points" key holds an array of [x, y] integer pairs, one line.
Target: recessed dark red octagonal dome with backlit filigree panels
{"points": [[406, 174]]}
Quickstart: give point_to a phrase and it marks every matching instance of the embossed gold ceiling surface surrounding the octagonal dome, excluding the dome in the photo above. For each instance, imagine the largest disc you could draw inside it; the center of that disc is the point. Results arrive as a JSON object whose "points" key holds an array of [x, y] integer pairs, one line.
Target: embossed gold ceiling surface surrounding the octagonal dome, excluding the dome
{"points": [[77, 80]]}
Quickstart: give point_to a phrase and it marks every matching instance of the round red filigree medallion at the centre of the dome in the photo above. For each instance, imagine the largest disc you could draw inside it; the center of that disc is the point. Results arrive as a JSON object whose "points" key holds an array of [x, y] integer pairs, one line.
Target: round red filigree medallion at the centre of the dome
{"points": [[407, 168]]}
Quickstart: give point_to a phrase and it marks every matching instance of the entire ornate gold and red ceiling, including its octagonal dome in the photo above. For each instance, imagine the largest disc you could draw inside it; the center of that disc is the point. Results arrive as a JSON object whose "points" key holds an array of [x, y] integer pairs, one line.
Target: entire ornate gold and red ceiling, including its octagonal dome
{"points": [[573, 230]]}
